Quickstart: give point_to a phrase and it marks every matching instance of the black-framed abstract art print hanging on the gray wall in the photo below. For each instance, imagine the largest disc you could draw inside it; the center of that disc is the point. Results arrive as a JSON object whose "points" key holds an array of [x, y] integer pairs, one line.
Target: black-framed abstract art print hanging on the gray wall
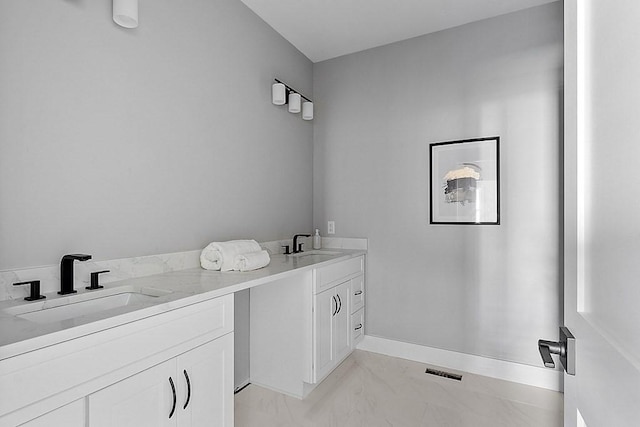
{"points": [[465, 181]]}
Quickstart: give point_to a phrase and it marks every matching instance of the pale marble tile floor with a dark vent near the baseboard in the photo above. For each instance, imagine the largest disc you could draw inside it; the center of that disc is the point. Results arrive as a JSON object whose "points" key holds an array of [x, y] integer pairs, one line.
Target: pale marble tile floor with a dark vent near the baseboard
{"points": [[370, 389]]}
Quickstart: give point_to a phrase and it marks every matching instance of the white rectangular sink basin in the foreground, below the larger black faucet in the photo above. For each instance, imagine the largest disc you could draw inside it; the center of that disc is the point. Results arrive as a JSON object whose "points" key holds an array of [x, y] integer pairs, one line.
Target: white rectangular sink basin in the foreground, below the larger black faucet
{"points": [[65, 308]]}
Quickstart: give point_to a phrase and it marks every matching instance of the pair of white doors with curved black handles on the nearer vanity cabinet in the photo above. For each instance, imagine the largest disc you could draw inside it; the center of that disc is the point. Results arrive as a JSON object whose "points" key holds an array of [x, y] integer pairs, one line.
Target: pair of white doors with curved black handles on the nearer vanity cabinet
{"points": [[188, 390]]}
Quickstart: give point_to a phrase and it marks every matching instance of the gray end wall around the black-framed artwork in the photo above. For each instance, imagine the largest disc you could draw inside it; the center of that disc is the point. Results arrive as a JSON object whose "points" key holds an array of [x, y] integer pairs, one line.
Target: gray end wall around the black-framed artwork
{"points": [[486, 290]]}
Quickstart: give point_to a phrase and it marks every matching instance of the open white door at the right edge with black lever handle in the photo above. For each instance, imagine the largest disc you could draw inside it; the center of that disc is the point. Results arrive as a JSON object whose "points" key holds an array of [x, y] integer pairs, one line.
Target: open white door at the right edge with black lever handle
{"points": [[602, 211]]}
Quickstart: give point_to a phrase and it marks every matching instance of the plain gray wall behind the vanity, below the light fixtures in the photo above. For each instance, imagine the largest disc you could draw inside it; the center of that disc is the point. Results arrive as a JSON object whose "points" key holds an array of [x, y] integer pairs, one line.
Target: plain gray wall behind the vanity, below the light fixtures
{"points": [[122, 143]]}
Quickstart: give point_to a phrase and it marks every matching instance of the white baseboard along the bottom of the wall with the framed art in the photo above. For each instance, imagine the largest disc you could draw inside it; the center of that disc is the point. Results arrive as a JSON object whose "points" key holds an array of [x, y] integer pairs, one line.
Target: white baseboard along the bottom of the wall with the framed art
{"points": [[516, 372]]}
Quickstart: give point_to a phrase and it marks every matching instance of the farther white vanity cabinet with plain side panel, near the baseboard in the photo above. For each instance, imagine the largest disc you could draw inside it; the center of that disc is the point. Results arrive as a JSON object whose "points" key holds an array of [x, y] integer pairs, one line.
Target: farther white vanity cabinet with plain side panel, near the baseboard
{"points": [[301, 326]]}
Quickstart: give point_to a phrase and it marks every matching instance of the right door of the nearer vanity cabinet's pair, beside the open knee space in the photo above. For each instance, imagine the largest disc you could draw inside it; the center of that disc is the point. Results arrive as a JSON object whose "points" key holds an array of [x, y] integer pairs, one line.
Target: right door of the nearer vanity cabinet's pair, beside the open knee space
{"points": [[206, 384]]}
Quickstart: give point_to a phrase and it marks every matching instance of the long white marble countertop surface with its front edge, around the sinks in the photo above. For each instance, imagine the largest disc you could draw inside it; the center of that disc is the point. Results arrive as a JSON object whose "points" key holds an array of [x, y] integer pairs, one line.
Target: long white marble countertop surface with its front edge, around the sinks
{"points": [[182, 288]]}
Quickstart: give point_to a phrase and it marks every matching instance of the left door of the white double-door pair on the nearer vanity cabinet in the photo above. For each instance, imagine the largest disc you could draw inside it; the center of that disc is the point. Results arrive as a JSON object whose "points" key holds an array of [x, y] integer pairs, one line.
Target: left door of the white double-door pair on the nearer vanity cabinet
{"points": [[143, 400]]}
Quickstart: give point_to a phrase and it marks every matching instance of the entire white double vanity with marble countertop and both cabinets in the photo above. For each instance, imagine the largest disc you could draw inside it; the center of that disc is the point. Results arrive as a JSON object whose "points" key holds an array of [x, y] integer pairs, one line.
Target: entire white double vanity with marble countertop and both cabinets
{"points": [[158, 350]]}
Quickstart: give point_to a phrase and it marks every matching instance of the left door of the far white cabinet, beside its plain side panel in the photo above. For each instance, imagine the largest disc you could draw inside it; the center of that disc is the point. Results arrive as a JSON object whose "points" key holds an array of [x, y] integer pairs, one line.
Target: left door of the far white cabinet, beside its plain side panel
{"points": [[325, 305]]}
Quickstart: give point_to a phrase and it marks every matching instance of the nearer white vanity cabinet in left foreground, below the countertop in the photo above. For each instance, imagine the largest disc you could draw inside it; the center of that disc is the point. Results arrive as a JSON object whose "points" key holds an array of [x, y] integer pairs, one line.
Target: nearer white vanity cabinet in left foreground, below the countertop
{"points": [[120, 375]]}
